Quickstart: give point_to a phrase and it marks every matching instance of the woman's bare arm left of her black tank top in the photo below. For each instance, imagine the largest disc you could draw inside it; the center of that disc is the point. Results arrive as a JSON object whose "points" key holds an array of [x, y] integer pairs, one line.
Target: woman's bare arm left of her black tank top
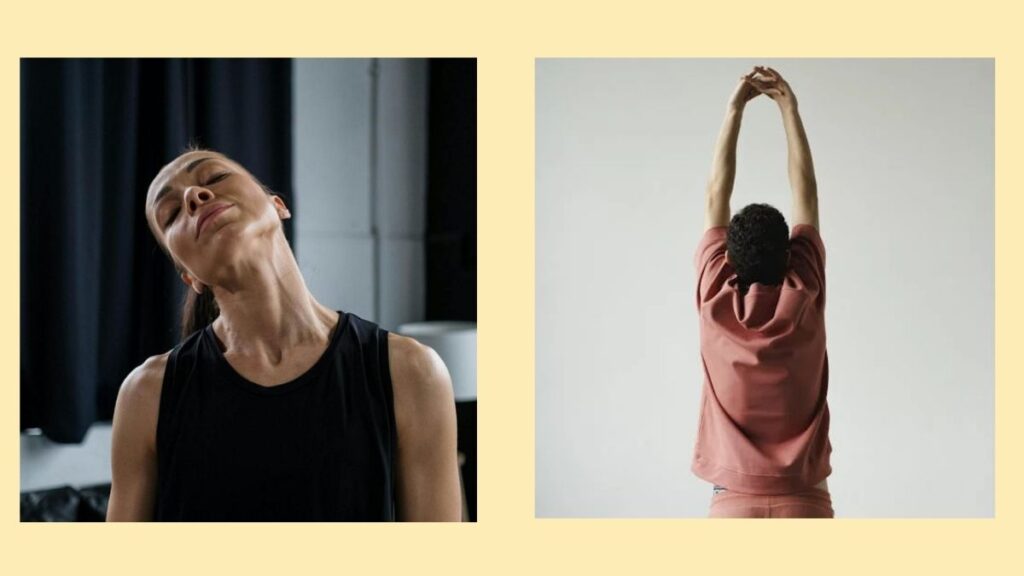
{"points": [[134, 450]]}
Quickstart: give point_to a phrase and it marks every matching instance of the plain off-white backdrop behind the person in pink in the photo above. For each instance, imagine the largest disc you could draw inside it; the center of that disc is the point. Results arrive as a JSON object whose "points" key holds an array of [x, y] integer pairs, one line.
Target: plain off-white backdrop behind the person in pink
{"points": [[904, 152]]}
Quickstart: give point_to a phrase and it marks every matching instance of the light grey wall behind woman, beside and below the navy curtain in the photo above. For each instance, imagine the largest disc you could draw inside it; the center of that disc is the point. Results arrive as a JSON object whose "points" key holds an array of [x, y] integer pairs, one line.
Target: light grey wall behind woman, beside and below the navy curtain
{"points": [[360, 169]]}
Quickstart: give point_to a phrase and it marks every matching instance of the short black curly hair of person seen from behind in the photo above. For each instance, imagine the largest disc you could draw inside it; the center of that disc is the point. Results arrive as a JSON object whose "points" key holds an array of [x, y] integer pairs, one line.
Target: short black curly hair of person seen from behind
{"points": [[758, 244]]}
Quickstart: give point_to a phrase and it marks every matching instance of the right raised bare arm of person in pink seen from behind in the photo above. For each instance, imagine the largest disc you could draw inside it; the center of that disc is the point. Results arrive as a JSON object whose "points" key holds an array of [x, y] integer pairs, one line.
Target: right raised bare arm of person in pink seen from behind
{"points": [[805, 188]]}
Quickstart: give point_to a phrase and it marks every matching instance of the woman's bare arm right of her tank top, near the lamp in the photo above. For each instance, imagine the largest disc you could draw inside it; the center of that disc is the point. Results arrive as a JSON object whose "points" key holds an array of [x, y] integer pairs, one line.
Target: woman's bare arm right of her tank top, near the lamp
{"points": [[424, 404]]}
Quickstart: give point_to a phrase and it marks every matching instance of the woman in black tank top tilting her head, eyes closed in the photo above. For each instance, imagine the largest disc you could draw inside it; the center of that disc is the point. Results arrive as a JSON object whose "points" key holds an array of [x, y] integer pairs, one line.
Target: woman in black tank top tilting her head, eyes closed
{"points": [[274, 407]]}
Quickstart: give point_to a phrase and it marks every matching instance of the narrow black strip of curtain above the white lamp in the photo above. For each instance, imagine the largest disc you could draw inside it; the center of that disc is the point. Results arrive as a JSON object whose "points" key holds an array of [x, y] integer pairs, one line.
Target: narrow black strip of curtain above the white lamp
{"points": [[452, 191]]}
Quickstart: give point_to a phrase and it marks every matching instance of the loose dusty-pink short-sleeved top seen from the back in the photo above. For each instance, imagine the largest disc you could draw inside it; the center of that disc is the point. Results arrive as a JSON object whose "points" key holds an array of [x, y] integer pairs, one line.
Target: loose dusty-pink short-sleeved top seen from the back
{"points": [[764, 419]]}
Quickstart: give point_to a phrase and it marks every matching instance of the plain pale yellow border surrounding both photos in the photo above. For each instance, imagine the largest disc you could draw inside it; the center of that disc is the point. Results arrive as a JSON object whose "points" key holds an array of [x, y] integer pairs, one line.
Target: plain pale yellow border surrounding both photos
{"points": [[506, 38]]}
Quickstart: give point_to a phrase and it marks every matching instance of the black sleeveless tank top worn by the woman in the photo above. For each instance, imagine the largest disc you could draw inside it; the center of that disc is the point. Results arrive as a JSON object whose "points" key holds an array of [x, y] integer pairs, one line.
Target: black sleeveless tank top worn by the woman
{"points": [[319, 448]]}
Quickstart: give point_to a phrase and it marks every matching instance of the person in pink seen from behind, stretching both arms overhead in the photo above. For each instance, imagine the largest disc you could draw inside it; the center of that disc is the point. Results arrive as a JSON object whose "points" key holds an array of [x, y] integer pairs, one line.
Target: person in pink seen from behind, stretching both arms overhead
{"points": [[763, 432]]}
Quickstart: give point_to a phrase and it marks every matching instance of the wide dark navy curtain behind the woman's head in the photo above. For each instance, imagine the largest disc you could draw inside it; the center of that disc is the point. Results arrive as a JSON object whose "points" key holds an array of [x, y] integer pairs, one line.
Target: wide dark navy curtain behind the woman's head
{"points": [[98, 296]]}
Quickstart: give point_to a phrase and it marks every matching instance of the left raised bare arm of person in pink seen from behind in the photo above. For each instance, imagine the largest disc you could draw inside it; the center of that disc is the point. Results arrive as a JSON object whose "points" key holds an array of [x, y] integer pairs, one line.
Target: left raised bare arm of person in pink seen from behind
{"points": [[723, 170]]}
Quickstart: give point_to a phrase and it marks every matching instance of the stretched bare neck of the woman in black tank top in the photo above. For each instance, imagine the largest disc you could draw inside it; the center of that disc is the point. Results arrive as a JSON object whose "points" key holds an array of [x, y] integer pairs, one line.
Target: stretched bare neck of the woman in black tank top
{"points": [[266, 307]]}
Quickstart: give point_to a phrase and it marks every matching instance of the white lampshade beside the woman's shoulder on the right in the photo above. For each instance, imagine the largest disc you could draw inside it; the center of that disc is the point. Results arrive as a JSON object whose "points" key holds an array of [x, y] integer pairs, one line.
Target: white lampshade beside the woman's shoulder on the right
{"points": [[456, 344]]}
